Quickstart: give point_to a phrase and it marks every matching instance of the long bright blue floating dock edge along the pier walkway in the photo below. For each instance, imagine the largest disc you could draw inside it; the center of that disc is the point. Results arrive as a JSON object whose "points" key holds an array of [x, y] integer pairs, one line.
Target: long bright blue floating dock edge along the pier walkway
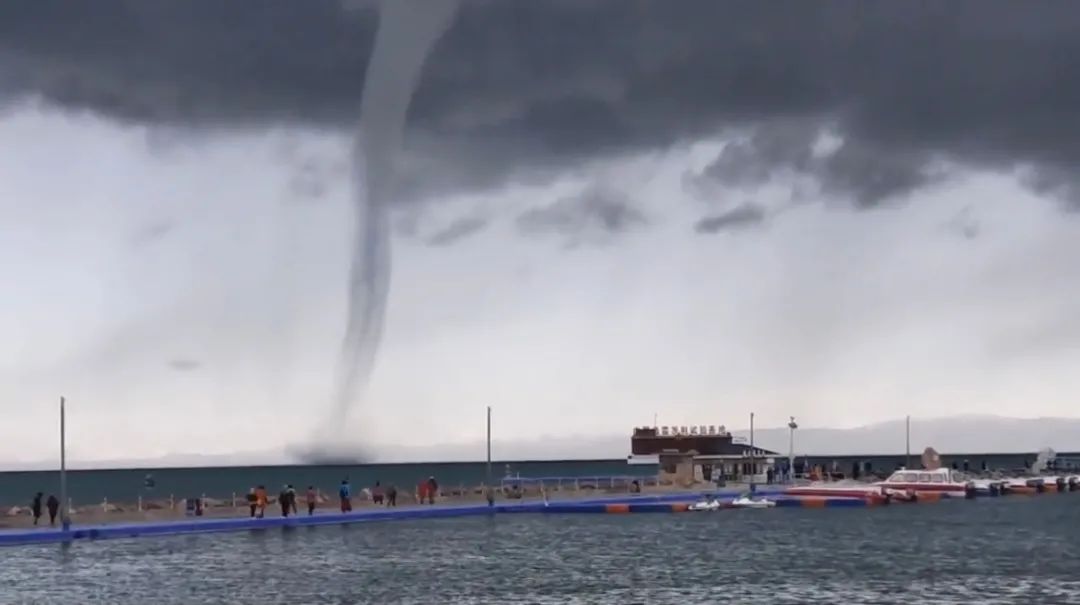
{"points": [[659, 503]]}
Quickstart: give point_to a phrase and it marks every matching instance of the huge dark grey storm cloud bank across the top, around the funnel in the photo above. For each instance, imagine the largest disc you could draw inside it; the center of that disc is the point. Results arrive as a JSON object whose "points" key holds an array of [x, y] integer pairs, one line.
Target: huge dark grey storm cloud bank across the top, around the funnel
{"points": [[535, 86]]}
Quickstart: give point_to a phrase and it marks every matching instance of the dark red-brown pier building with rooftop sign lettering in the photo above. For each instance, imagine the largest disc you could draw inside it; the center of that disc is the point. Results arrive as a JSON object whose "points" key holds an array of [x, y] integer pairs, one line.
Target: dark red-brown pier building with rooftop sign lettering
{"points": [[687, 455]]}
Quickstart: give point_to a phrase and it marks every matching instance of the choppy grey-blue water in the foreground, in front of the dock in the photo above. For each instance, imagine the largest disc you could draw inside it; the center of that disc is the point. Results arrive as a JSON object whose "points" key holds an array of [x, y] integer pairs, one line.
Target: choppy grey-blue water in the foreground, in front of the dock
{"points": [[1007, 550]]}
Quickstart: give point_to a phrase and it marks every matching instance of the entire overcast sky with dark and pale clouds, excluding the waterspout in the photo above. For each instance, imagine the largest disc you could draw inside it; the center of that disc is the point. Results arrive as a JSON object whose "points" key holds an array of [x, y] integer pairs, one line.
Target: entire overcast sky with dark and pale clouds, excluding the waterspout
{"points": [[609, 210]]}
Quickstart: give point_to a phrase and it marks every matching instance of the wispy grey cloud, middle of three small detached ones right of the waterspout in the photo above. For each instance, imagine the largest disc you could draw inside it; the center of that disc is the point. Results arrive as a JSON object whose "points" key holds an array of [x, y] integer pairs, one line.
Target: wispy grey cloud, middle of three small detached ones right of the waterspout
{"points": [[597, 210]]}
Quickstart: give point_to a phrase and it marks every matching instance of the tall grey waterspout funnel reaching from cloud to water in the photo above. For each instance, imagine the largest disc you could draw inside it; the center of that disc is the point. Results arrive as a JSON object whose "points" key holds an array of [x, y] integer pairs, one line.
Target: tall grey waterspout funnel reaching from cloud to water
{"points": [[407, 34]]}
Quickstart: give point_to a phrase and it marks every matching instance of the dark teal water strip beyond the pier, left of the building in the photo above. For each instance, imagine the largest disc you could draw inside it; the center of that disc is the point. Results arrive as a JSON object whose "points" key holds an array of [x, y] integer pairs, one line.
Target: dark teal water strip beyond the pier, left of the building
{"points": [[127, 486]]}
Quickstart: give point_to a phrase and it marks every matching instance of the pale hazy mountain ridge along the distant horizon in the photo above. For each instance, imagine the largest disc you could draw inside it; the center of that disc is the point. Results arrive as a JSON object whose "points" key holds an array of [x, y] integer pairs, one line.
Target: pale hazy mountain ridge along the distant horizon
{"points": [[957, 435]]}
